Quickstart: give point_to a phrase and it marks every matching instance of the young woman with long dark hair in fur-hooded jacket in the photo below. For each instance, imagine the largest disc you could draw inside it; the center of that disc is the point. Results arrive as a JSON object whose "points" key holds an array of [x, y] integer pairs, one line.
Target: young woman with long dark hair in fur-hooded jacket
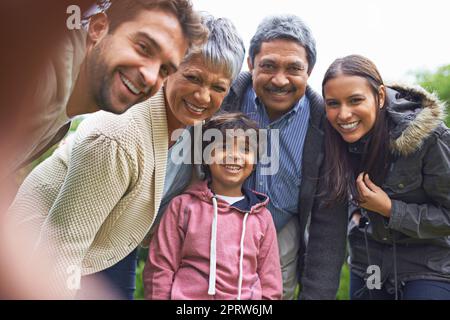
{"points": [[388, 155]]}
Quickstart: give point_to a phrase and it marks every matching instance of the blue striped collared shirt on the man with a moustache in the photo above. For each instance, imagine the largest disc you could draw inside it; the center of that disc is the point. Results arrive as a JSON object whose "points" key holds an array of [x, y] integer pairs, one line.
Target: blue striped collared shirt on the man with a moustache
{"points": [[283, 187]]}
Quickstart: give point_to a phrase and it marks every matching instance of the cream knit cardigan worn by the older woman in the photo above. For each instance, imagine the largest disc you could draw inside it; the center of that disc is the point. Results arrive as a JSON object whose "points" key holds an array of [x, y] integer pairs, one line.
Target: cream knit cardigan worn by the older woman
{"points": [[94, 200]]}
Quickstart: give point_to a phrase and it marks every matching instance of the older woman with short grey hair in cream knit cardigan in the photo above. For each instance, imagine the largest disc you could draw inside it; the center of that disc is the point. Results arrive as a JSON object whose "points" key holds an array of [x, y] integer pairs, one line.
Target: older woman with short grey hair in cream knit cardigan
{"points": [[95, 199]]}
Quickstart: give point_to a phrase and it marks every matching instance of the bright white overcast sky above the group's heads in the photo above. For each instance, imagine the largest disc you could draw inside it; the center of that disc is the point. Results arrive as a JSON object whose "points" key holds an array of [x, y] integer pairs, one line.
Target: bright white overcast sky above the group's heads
{"points": [[400, 36]]}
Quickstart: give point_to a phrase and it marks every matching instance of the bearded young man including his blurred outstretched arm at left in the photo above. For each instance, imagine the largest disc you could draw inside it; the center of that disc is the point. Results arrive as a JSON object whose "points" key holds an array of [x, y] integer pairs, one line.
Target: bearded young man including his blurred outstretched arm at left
{"points": [[50, 74]]}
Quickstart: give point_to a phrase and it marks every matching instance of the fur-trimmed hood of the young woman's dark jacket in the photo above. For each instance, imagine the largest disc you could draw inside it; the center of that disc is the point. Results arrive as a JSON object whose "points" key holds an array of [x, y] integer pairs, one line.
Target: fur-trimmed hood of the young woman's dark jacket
{"points": [[415, 114]]}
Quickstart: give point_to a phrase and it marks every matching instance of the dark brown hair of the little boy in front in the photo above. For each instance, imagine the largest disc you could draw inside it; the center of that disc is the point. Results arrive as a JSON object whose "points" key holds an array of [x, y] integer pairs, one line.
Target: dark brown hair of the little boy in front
{"points": [[225, 121]]}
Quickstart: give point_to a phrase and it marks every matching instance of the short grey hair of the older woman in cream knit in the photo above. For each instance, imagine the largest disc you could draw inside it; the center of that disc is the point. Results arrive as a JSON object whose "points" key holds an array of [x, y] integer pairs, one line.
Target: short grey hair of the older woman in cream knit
{"points": [[224, 48]]}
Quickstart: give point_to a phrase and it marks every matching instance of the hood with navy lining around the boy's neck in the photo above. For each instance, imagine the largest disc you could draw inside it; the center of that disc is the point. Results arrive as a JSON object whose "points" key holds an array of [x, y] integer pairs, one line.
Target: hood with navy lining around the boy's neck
{"points": [[253, 202]]}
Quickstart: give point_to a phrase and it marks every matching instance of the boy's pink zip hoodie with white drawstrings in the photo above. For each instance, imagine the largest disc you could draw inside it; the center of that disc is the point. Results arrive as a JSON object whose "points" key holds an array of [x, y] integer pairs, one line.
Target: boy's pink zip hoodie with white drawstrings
{"points": [[183, 251]]}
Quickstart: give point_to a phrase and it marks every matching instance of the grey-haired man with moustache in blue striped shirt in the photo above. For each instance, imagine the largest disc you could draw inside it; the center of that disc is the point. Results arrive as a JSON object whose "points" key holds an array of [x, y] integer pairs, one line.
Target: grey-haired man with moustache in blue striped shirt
{"points": [[275, 94]]}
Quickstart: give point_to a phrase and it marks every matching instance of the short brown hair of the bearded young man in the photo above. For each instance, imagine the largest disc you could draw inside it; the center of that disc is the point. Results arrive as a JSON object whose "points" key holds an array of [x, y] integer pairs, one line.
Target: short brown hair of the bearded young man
{"points": [[125, 10]]}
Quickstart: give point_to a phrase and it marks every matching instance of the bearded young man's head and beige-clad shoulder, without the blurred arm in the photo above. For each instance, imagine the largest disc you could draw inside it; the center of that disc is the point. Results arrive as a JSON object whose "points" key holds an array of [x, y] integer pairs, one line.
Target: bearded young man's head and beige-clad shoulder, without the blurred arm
{"points": [[119, 60]]}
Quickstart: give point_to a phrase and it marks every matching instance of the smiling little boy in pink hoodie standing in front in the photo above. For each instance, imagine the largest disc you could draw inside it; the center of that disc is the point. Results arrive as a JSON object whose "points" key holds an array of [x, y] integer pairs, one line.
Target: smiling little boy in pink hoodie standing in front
{"points": [[217, 240]]}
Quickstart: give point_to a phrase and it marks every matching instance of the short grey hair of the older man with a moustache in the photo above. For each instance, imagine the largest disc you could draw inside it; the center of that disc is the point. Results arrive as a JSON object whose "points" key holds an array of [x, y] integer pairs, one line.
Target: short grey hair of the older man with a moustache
{"points": [[288, 27]]}
